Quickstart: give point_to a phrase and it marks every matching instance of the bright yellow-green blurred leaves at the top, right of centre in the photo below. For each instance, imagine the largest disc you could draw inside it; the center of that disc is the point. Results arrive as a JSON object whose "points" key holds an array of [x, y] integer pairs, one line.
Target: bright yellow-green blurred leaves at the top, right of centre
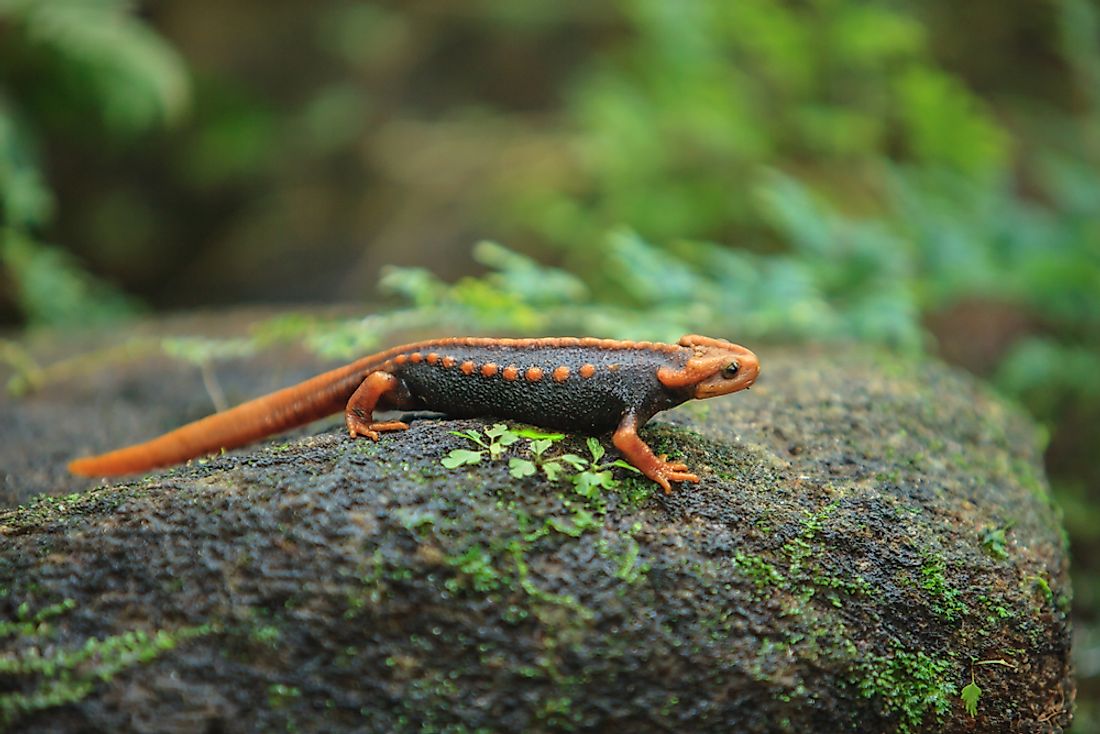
{"points": [[677, 123]]}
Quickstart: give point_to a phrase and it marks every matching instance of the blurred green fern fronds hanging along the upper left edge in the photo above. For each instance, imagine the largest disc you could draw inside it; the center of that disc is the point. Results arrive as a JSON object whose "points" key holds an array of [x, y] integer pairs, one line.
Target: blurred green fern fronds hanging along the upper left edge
{"points": [[86, 69]]}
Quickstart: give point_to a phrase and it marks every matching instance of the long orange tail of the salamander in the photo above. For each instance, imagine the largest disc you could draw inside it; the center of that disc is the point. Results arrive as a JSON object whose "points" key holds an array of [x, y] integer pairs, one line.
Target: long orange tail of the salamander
{"points": [[281, 411]]}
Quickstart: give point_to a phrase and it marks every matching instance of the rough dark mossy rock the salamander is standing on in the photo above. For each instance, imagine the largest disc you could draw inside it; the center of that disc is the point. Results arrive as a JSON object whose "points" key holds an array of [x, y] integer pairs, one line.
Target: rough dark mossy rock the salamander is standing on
{"points": [[870, 538]]}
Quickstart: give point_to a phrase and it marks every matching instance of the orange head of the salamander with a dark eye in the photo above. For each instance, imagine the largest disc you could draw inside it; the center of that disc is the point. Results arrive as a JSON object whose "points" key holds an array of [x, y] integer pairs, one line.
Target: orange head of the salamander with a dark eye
{"points": [[716, 368]]}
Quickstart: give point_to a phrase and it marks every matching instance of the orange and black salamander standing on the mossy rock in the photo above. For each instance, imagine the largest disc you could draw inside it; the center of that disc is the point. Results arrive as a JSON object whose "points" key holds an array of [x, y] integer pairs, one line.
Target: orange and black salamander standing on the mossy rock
{"points": [[584, 385]]}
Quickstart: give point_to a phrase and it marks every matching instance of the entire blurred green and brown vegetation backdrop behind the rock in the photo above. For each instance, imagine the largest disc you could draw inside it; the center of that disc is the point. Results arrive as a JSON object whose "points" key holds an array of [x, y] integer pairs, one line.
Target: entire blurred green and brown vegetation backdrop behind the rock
{"points": [[925, 176]]}
